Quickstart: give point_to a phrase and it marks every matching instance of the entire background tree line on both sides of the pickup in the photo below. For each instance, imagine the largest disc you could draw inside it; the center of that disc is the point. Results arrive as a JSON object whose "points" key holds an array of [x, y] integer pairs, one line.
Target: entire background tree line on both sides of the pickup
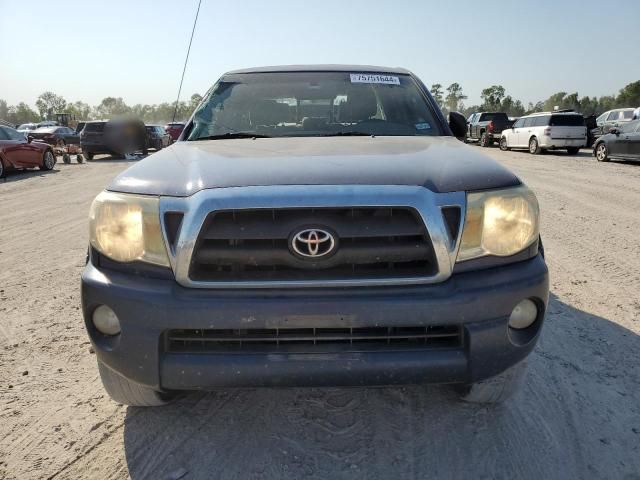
{"points": [[494, 98]]}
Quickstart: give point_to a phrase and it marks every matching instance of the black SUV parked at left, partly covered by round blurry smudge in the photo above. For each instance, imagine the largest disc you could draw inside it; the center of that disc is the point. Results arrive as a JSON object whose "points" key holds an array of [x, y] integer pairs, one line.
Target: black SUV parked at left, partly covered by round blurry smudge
{"points": [[113, 137]]}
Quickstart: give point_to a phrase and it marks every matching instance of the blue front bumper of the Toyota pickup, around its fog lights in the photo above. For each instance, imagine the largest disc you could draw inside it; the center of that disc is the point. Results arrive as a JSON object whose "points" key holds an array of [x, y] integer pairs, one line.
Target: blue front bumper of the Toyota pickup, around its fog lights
{"points": [[479, 301]]}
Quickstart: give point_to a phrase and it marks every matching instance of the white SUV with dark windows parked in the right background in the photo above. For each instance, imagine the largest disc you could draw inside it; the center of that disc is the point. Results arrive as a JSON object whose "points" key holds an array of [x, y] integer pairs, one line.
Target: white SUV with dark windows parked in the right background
{"points": [[546, 131]]}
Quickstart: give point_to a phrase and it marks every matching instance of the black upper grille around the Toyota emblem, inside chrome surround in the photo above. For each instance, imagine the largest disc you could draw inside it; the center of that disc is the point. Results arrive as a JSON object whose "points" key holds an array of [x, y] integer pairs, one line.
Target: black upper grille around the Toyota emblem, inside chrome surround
{"points": [[254, 245]]}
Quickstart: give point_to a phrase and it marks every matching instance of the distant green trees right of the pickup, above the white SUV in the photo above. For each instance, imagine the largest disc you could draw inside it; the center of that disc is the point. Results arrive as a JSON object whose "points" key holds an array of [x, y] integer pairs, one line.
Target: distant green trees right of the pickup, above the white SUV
{"points": [[495, 99]]}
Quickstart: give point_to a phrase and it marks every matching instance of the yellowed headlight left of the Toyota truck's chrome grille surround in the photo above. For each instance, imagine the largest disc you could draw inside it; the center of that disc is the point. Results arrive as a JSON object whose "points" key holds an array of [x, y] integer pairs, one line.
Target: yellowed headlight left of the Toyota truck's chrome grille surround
{"points": [[126, 228]]}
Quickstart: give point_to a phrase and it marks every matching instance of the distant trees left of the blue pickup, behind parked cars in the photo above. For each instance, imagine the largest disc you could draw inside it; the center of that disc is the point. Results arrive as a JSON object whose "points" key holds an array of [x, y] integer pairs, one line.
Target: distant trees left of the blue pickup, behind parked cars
{"points": [[48, 104]]}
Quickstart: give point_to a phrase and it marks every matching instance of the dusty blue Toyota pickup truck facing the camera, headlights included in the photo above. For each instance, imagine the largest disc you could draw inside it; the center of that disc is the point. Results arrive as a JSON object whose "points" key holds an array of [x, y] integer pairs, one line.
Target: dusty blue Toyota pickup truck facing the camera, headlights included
{"points": [[316, 226]]}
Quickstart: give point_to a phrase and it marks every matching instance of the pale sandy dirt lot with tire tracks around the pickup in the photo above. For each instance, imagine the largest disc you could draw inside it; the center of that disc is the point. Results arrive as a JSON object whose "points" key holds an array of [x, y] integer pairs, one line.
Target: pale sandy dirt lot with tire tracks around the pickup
{"points": [[577, 417]]}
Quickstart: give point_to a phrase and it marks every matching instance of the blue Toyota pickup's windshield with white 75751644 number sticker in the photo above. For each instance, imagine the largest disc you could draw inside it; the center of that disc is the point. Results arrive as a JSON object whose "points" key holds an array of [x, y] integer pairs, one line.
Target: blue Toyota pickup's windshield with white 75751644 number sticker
{"points": [[312, 104]]}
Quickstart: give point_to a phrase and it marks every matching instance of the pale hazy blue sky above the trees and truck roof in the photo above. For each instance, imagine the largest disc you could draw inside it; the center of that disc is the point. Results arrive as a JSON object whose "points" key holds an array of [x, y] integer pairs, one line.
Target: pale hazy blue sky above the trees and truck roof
{"points": [[135, 49]]}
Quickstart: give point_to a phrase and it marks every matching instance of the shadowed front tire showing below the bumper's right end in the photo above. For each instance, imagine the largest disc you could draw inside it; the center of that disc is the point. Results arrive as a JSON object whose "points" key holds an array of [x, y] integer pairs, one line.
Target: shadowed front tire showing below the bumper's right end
{"points": [[495, 389]]}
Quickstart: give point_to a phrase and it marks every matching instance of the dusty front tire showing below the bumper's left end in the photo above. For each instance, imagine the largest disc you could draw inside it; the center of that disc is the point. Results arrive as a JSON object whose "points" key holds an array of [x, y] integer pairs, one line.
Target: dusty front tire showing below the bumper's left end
{"points": [[130, 393]]}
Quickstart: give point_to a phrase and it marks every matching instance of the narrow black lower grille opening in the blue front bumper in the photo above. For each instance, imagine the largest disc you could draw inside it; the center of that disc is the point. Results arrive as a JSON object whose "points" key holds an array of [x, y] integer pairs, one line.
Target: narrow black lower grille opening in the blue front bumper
{"points": [[301, 340]]}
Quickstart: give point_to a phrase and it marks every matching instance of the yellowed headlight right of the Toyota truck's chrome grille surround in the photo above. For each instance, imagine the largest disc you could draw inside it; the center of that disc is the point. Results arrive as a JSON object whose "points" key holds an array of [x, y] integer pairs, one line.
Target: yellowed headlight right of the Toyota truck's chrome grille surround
{"points": [[500, 222]]}
